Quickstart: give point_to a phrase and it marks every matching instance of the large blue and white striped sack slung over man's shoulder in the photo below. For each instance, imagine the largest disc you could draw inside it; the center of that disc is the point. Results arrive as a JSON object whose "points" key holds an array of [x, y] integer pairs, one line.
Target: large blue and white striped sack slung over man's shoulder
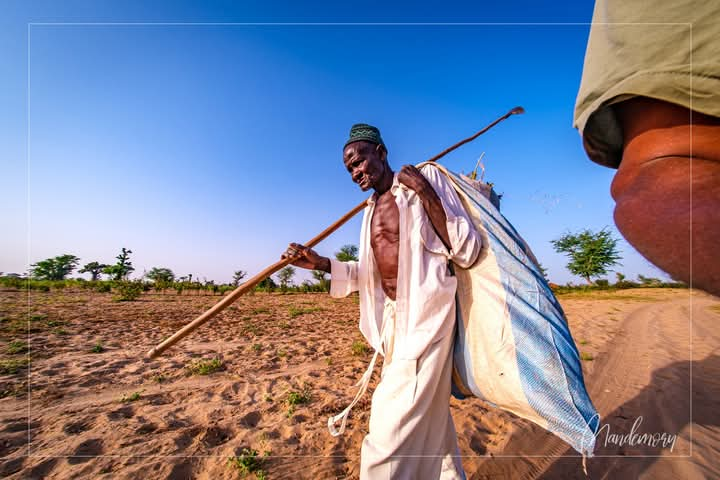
{"points": [[513, 347]]}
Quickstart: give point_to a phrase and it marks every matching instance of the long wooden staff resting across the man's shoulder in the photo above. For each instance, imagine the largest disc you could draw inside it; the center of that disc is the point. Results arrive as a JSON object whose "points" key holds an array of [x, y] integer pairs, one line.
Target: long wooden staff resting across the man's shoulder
{"points": [[250, 284]]}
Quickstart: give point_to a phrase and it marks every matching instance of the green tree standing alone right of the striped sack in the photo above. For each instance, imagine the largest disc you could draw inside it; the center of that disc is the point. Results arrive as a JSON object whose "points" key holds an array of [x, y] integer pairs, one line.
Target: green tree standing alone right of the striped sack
{"points": [[590, 253]]}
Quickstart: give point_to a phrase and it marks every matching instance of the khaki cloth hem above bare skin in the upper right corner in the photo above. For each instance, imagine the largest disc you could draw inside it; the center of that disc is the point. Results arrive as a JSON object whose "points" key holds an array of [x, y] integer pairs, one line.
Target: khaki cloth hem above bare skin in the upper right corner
{"points": [[663, 49]]}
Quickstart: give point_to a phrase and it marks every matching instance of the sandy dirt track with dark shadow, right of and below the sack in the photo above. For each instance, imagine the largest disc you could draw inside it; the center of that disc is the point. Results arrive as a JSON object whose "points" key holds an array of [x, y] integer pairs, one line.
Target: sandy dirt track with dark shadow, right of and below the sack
{"points": [[661, 374]]}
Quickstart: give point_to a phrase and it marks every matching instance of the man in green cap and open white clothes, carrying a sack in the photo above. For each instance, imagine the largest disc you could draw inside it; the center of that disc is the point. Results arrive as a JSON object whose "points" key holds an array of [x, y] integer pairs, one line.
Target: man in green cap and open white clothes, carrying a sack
{"points": [[413, 228]]}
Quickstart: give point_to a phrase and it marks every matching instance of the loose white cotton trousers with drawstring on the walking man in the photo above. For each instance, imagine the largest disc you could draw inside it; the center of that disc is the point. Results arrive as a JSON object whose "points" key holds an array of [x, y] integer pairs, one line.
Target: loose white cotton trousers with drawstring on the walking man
{"points": [[412, 435]]}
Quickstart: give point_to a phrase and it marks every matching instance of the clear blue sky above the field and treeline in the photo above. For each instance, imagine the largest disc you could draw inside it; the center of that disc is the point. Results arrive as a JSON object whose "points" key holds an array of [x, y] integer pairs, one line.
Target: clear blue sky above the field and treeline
{"points": [[207, 148]]}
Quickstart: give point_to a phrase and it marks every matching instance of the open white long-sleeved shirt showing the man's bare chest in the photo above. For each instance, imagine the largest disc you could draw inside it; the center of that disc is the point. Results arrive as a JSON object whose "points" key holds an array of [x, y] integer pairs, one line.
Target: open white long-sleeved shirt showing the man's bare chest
{"points": [[425, 299]]}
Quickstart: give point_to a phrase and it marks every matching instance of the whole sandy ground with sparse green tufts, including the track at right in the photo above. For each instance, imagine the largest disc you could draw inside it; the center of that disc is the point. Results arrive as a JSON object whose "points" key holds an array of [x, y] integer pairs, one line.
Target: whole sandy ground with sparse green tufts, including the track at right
{"points": [[108, 413]]}
